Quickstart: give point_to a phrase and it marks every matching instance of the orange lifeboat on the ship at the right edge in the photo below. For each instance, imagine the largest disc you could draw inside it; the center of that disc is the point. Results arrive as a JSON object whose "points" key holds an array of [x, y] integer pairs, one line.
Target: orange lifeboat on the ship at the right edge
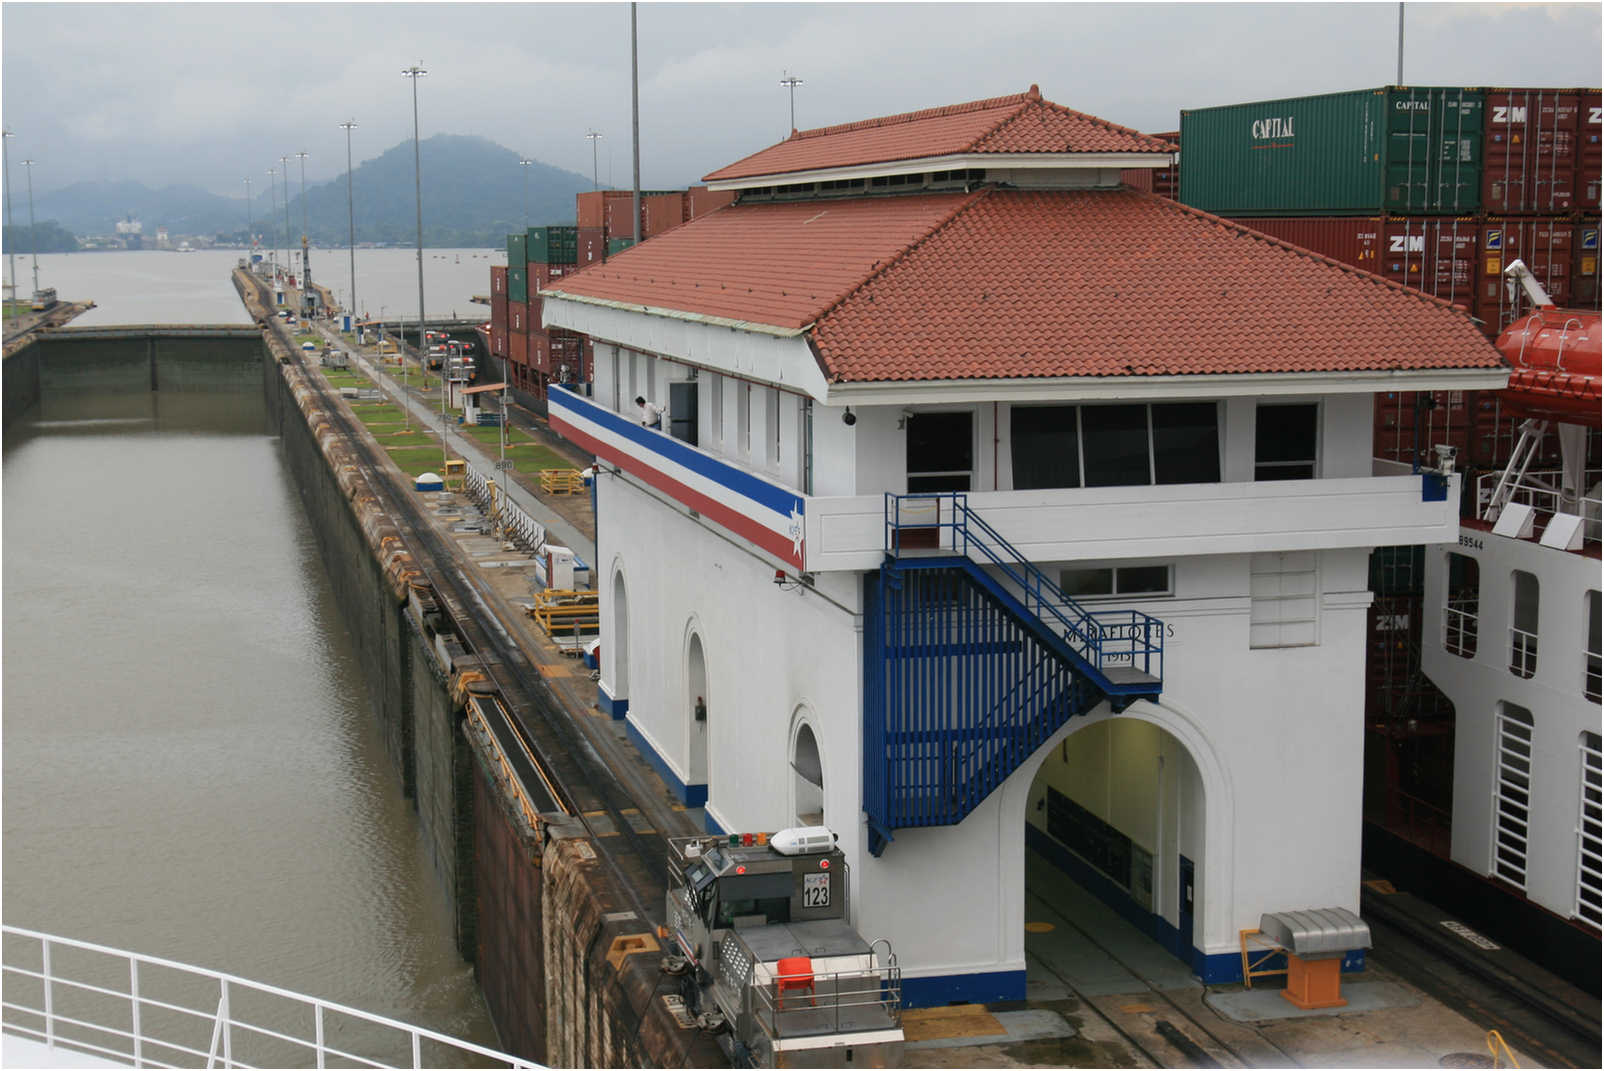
{"points": [[1555, 355]]}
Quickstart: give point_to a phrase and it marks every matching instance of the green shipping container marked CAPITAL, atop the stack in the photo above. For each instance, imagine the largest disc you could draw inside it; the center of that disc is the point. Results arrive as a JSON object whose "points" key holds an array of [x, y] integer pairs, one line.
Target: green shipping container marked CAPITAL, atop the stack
{"points": [[1361, 153]]}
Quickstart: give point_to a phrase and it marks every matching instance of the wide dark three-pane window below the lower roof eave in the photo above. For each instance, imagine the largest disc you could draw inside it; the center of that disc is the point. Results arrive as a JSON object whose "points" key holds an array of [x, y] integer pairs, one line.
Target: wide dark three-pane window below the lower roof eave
{"points": [[1114, 447]]}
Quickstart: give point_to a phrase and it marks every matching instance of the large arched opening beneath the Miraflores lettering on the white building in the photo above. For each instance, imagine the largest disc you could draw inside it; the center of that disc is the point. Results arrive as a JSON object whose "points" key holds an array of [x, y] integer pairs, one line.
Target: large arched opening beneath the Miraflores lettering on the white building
{"points": [[1116, 831]]}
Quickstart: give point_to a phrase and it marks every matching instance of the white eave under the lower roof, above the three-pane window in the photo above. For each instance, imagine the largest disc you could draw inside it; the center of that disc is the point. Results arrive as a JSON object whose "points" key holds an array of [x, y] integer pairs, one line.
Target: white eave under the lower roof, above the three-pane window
{"points": [[1160, 387]]}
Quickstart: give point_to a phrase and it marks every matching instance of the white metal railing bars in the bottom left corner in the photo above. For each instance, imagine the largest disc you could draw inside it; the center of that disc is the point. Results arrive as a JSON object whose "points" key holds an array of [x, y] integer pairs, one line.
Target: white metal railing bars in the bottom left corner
{"points": [[52, 1027]]}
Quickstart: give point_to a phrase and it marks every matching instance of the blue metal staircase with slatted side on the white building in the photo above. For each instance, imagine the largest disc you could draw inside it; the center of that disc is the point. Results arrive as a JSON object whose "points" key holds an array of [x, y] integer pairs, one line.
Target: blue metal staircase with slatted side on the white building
{"points": [[973, 660]]}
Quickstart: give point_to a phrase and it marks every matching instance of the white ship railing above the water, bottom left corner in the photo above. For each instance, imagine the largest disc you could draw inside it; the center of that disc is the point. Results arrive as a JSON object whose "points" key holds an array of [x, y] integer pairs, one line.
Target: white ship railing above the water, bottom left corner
{"points": [[150, 1012]]}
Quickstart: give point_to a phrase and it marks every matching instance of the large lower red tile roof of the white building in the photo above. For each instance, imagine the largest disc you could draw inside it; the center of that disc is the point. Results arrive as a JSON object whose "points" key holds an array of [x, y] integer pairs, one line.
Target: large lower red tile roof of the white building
{"points": [[1010, 285]]}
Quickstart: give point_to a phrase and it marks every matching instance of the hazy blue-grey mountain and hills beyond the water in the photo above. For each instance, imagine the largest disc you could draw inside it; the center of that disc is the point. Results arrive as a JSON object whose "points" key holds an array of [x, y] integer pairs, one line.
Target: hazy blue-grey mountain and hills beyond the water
{"points": [[474, 195]]}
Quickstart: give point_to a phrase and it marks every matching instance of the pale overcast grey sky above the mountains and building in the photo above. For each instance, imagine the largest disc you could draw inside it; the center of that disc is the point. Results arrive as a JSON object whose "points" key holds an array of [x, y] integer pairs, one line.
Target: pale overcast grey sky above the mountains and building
{"points": [[213, 94]]}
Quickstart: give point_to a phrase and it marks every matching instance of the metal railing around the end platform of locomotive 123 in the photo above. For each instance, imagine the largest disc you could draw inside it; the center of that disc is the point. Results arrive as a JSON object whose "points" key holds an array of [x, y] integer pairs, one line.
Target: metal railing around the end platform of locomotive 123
{"points": [[838, 1003]]}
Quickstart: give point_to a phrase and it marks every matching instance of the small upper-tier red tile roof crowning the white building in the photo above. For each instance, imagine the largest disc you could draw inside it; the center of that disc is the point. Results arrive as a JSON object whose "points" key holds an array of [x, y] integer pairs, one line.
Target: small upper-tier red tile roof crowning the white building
{"points": [[1023, 123]]}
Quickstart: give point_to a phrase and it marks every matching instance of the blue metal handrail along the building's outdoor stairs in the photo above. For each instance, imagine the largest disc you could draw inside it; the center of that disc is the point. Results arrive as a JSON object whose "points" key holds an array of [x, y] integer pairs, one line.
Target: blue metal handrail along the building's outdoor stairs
{"points": [[1085, 631]]}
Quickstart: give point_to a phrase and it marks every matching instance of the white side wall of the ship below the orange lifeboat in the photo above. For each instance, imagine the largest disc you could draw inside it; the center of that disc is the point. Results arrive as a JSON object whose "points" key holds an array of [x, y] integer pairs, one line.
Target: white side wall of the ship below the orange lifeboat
{"points": [[1560, 713]]}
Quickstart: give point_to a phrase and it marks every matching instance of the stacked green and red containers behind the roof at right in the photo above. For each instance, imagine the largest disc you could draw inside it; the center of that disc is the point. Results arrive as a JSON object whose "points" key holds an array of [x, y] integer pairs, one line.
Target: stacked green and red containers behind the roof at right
{"points": [[1435, 188]]}
